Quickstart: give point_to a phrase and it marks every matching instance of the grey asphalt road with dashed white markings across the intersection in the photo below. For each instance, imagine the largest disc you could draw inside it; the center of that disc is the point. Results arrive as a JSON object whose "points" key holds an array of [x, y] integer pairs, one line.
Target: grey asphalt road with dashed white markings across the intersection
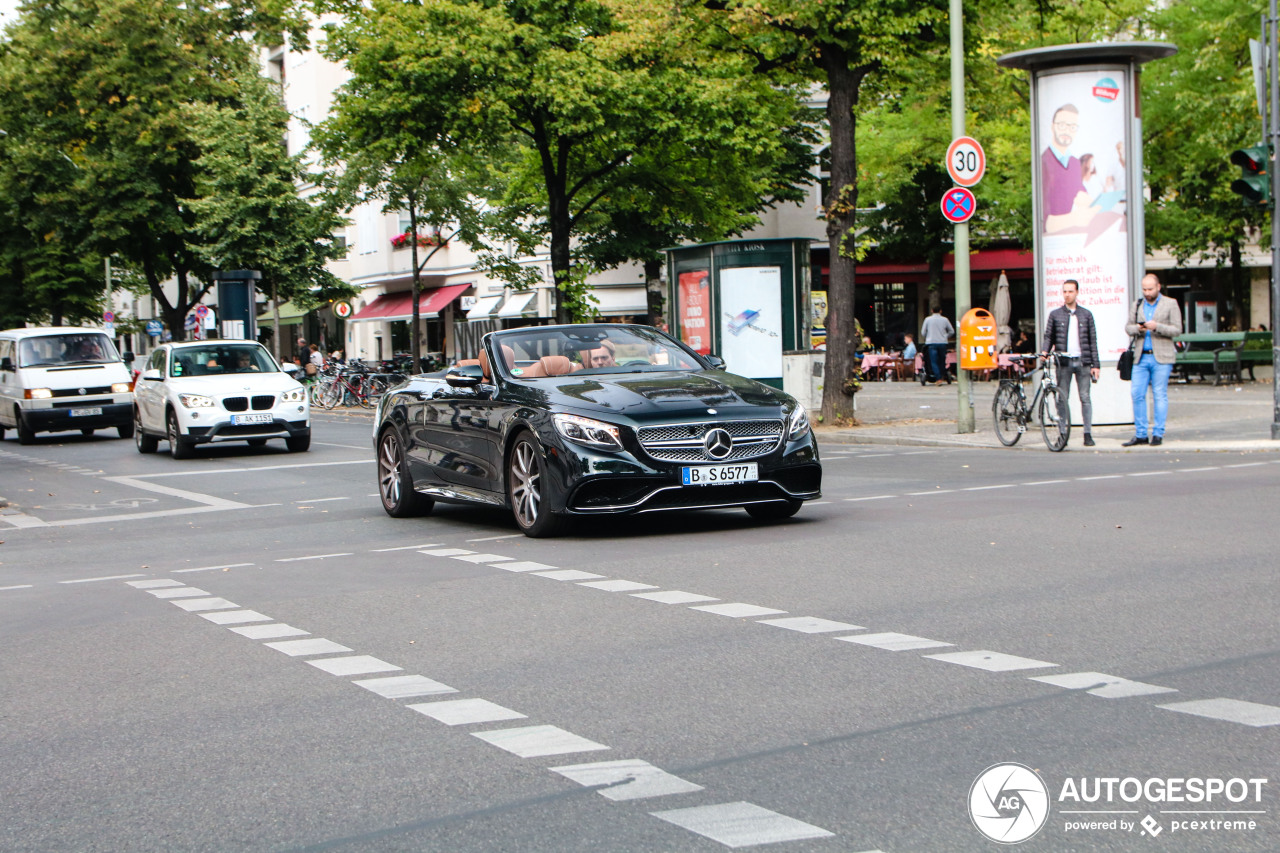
{"points": [[139, 713]]}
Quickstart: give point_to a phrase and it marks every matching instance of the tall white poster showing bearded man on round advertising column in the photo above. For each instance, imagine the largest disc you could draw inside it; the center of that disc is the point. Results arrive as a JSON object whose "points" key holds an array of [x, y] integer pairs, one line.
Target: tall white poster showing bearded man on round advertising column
{"points": [[1082, 121]]}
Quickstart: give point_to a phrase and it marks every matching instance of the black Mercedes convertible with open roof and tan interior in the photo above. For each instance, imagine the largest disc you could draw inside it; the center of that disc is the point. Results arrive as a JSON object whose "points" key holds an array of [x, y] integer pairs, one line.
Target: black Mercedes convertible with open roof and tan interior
{"points": [[564, 422]]}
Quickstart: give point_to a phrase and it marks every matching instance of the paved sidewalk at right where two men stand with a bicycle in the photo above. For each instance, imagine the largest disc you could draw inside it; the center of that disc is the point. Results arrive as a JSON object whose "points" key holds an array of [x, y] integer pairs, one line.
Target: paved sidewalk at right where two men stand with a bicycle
{"points": [[1201, 418]]}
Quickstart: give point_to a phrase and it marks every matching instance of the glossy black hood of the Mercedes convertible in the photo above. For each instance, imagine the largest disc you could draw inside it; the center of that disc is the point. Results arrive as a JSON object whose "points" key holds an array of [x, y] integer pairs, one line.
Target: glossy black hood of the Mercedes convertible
{"points": [[670, 394]]}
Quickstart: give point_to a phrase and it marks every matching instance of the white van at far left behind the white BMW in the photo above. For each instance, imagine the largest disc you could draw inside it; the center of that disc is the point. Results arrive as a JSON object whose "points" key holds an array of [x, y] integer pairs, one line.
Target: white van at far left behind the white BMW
{"points": [[60, 378]]}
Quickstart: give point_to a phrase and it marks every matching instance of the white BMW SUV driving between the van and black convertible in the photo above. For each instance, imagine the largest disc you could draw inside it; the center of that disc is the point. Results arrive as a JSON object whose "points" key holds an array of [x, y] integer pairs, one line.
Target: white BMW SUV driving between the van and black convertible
{"points": [[218, 391]]}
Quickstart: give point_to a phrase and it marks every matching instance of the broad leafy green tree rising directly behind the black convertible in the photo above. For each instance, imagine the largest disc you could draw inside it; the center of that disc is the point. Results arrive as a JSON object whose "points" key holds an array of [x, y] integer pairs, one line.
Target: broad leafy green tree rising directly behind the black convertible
{"points": [[601, 101]]}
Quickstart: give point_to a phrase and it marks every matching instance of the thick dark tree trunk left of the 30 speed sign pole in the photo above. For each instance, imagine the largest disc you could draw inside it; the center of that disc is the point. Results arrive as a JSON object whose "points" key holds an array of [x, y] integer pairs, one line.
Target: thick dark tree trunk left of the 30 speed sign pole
{"points": [[842, 215]]}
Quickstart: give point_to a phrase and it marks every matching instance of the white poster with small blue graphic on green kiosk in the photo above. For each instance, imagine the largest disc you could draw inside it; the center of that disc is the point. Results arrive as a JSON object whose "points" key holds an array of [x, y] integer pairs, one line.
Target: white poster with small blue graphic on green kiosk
{"points": [[751, 321]]}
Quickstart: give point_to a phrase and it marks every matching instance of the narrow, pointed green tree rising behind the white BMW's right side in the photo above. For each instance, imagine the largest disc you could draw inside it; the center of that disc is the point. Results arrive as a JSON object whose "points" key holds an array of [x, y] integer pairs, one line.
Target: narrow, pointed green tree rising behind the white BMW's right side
{"points": [[249, 213]]}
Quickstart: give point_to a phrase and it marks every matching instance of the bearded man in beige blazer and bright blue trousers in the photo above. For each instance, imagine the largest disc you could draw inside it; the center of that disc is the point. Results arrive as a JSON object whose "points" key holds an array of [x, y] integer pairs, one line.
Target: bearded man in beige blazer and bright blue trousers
{"points": [[1156, 322]]}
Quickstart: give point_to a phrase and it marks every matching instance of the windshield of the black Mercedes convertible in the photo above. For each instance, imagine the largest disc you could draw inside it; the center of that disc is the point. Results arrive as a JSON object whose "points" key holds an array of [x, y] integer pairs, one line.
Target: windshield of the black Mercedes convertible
{"points": [[602, 349]]}
